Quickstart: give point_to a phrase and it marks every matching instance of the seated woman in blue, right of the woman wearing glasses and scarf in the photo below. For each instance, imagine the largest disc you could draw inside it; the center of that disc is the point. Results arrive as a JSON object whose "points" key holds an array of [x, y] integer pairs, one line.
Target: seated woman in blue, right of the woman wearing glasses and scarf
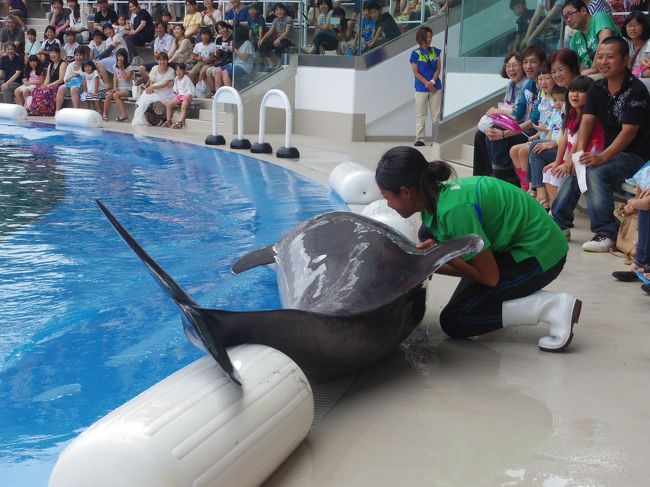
{"points": [[500, 140]]}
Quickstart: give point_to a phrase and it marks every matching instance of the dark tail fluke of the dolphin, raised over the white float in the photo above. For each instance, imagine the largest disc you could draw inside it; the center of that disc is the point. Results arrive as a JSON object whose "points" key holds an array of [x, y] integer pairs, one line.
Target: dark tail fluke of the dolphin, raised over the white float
{"points": [[200, 326]]}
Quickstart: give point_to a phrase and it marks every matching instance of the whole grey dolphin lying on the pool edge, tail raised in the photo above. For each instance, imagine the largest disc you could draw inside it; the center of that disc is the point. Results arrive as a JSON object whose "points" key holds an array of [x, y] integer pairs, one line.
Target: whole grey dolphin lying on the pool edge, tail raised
{"points": [[351, 289]]}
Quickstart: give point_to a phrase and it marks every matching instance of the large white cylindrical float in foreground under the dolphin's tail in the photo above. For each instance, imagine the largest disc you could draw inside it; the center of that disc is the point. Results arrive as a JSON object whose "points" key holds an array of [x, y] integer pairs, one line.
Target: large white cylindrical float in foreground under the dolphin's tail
{"points": [[197, 428]]}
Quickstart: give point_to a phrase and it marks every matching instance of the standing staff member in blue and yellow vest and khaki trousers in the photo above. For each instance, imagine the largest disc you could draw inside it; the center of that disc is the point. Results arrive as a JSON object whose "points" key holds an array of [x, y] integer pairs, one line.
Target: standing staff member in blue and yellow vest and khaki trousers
{"points": [[428, 87]]}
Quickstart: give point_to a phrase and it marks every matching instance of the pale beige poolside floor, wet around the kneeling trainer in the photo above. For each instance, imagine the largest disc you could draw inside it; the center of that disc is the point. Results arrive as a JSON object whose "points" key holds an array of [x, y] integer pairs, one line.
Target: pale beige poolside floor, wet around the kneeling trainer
{"points": [[493, 411]]}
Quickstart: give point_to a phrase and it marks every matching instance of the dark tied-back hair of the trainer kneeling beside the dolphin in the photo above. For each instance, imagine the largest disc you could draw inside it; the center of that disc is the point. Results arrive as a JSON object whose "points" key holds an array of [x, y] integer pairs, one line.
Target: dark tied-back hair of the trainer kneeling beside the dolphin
{"points": [[406, 167]]}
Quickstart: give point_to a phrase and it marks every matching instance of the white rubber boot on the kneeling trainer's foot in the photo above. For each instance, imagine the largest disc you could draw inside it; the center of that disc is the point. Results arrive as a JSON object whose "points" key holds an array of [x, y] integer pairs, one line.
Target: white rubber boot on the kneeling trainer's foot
{"points": [[559, 310]]}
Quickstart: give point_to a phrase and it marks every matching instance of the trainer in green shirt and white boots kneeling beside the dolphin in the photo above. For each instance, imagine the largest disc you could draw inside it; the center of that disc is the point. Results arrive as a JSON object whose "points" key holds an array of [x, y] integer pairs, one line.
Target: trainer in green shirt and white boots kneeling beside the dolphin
{"points": [[523, 249]]}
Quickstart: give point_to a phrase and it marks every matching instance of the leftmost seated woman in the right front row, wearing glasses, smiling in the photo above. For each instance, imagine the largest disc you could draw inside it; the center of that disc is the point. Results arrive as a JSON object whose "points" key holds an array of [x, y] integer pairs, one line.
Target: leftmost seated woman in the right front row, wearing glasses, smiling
{"points": [[513, 70]]}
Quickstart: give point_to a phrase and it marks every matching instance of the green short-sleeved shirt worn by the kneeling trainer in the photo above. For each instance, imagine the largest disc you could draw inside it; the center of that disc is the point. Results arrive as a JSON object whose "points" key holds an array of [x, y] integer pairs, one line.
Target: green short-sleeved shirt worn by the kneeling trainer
{"points": [[507, 219]]}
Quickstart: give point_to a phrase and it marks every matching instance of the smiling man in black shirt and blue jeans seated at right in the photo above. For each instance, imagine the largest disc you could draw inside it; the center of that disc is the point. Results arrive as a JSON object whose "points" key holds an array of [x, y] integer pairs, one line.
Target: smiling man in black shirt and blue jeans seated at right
{"points": [[620, 103]]}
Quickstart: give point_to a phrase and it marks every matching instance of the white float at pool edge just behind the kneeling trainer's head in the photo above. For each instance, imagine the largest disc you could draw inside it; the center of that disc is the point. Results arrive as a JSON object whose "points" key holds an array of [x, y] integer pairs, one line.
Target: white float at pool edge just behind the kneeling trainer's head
{"points": [[354, 183]]}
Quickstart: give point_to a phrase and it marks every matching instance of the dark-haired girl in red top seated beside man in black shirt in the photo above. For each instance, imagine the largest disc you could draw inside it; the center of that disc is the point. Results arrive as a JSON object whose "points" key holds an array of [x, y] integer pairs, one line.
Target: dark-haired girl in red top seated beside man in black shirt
{"points": [[563, 166]]}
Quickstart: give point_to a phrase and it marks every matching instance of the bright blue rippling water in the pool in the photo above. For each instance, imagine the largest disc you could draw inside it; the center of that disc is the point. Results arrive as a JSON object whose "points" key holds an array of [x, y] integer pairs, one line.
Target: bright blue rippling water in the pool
{"points": [[83, 327]]}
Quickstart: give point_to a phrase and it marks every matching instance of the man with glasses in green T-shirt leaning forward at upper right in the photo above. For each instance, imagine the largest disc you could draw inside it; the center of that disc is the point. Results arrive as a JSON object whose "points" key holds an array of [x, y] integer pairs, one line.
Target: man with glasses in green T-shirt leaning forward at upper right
{"points": [[589, 32]]}
